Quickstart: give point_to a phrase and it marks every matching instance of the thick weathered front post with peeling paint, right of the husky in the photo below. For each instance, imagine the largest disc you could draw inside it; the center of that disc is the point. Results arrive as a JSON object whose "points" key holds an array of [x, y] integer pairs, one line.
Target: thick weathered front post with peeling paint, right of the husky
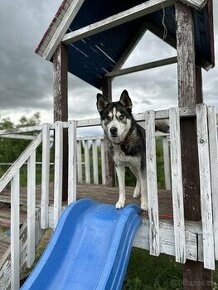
{"points": [[190, 93]]}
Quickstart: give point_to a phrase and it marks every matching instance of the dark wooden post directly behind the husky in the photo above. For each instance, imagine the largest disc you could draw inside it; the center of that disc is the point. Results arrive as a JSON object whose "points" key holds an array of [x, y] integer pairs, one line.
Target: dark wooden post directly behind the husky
{"points": [[109, 163]]}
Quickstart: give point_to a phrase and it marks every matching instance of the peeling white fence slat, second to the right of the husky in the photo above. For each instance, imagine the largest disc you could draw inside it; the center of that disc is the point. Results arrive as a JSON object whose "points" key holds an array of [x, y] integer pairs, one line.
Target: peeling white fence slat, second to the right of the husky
{"points": [[177, 186]]}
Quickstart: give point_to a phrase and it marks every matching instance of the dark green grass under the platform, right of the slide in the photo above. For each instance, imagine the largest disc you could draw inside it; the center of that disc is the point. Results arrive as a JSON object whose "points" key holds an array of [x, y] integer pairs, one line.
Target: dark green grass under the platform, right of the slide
{"points": [[146, 272]]}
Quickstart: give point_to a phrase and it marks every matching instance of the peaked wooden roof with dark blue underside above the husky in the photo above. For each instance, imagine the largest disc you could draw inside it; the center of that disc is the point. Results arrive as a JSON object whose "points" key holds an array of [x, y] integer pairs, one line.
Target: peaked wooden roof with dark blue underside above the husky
{"points": [[100, 36]]}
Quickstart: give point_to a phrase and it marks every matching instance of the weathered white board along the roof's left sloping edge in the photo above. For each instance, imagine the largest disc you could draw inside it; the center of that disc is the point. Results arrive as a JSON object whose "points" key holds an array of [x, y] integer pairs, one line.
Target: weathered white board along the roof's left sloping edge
{"points": [[59, 32]]}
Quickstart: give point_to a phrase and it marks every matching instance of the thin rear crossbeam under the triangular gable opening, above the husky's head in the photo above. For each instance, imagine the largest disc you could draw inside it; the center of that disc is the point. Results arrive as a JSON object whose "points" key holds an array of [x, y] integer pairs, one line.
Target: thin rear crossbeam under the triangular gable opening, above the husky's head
{"points": [[141, 67]]}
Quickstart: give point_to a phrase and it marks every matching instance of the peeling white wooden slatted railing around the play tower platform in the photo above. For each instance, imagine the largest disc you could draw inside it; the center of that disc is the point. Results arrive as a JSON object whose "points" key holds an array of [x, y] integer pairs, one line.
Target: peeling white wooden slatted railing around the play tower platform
{"points": [[154, 234]]}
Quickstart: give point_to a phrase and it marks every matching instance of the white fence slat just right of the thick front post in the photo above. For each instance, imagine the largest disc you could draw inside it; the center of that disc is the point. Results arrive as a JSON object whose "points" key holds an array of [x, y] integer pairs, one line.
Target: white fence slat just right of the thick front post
{"points": [[205, 187]]}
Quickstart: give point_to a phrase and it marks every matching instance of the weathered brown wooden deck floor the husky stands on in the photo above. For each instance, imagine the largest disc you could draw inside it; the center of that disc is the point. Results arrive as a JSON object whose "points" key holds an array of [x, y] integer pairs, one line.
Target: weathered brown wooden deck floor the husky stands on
{"points": [[98, 193]]}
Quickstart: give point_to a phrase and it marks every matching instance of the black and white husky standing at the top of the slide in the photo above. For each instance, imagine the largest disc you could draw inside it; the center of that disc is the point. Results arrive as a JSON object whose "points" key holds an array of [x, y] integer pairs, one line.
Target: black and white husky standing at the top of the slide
{"points": [[128, 143]]}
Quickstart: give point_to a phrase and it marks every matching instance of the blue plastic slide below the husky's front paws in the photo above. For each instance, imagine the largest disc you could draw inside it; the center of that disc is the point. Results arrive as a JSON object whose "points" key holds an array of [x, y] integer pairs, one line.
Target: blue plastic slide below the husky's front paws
{"points": [[89, 249]]}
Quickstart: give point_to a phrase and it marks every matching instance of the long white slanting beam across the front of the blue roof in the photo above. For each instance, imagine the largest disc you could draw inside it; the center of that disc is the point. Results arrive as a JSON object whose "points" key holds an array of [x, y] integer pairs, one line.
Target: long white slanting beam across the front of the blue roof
{"points": [[117, 19]]}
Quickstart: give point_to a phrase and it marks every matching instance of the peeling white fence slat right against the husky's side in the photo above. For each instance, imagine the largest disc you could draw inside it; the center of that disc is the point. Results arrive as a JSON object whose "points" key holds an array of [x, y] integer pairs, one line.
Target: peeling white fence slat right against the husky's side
{"points": [[152, 192]]}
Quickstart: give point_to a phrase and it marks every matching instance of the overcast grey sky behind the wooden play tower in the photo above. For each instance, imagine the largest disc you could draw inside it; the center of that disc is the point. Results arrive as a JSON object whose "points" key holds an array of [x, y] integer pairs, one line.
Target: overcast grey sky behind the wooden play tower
{"points": [[26, 79]]}
